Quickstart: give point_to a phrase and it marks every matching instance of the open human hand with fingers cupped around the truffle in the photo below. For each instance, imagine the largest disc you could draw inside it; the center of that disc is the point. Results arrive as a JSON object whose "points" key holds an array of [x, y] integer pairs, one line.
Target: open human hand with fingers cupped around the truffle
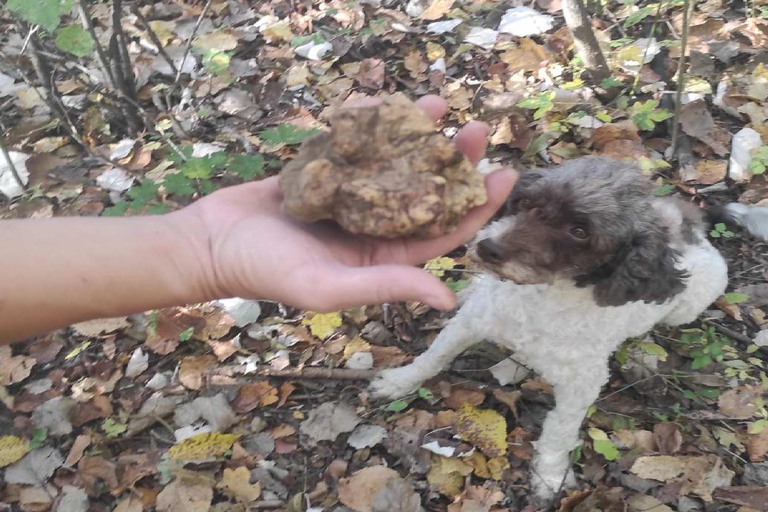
{"points": [[256, 251]]}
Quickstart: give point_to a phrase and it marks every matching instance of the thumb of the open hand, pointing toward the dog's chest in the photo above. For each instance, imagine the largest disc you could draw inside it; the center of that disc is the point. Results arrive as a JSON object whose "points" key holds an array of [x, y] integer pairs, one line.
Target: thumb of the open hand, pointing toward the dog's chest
{"points": [[355, 286]]}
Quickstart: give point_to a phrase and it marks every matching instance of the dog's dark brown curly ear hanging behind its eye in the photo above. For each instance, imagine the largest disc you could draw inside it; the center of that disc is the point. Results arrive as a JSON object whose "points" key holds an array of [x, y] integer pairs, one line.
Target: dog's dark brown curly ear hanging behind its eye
{"points": [[643, 270]]}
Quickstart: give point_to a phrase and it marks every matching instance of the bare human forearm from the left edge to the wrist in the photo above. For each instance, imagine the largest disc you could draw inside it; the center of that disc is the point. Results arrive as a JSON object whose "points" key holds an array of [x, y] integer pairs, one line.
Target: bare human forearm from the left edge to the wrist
{"points": [[60, 271]]}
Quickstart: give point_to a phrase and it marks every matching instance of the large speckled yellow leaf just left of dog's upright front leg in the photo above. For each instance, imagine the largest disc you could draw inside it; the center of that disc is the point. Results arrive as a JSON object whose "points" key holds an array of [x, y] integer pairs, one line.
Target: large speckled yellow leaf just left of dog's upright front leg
{"points": [[486, 429]]}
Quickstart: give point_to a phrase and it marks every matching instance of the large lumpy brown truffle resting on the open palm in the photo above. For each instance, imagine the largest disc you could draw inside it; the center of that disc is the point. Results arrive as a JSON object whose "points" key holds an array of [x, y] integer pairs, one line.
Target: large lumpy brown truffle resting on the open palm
{"points": [[382, 171]]}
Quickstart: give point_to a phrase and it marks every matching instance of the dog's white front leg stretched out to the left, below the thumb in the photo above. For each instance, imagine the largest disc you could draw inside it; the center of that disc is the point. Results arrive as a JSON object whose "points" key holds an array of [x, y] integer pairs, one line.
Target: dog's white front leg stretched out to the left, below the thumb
{"points": [[454, 339]]}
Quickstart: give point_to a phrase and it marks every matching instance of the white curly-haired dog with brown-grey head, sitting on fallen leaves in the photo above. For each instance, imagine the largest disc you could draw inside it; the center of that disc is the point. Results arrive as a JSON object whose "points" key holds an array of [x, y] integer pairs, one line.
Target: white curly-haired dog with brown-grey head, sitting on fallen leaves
{"points": [[583, 258]]}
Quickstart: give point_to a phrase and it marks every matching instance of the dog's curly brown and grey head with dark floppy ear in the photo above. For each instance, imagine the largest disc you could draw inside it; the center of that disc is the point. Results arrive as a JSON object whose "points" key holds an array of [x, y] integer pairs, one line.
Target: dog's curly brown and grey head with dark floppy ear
{"points": [[591, 220]]}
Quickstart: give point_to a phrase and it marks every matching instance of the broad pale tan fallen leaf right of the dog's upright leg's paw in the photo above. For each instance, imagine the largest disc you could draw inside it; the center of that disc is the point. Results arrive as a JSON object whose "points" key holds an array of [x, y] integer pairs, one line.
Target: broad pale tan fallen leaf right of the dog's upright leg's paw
{"points": [[698, 474]]}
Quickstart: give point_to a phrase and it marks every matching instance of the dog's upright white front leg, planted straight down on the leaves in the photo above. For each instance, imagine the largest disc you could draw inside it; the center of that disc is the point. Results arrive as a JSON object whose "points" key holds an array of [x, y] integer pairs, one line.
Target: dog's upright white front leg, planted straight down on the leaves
{"points": [[560, 433]]}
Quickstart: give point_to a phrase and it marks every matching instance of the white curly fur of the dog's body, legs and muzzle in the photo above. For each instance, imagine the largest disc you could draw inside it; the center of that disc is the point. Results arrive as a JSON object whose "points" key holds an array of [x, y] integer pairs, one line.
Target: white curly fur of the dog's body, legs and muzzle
{"points": [[560, 332]]}
